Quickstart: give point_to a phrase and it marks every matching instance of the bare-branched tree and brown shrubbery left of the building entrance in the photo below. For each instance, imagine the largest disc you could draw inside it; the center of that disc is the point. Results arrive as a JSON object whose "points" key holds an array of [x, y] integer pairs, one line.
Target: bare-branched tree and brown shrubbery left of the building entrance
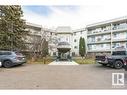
{"points": [[40, 43]]}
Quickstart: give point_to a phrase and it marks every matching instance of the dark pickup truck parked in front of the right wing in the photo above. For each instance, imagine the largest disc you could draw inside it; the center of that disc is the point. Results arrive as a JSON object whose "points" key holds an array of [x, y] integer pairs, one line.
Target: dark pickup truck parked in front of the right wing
{"points": [[118, 59]]}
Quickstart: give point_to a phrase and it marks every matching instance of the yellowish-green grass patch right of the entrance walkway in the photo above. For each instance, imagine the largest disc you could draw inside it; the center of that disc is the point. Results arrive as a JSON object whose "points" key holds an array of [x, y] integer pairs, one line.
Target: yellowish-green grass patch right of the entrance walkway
{"points": [[84, 61]]}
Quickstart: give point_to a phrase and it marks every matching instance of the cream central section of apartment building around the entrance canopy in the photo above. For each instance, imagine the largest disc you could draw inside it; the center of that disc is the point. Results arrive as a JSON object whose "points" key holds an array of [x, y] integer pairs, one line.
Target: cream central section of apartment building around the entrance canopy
{"points": [[66, 34]]}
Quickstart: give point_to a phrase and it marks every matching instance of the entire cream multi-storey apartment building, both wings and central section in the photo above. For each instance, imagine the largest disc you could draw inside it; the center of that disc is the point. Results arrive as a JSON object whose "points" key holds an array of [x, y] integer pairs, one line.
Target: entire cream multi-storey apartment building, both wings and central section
{"points": [[102, 37]]}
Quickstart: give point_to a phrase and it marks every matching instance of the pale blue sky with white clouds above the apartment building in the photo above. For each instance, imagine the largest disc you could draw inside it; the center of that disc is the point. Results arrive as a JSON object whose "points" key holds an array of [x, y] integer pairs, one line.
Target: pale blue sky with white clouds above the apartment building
{"points": [[76, 16]]}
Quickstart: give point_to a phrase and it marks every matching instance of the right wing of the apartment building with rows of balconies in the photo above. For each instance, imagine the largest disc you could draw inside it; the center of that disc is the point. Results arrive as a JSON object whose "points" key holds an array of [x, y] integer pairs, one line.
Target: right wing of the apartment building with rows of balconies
{"points": [[106, 36]]}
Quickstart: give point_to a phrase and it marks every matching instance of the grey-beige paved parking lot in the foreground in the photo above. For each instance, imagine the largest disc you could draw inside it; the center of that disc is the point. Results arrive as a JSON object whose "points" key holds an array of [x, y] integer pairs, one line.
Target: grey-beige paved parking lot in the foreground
{"points": [[38, 76]]}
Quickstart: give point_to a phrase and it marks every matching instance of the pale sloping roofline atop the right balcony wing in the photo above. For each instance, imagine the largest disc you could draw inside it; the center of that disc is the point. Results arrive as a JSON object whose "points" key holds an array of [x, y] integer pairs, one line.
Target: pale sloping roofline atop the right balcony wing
{"points": [[107, 22]]}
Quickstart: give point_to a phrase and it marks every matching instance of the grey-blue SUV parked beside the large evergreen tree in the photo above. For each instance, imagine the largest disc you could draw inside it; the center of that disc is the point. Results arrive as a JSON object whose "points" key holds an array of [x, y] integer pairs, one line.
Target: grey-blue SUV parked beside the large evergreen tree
{"points": [[11, 58]]}
